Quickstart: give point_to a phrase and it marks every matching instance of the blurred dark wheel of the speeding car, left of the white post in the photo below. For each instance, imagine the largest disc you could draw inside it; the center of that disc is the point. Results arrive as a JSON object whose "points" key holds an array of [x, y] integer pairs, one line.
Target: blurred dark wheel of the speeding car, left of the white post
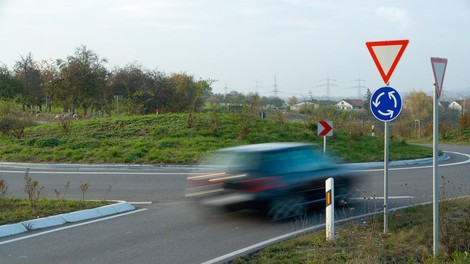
{"points": [[286, 207]]}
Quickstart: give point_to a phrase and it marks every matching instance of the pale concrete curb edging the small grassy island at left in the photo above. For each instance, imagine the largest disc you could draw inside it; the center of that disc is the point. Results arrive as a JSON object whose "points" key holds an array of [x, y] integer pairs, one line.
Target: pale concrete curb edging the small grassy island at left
{"points": [[51, 221]]}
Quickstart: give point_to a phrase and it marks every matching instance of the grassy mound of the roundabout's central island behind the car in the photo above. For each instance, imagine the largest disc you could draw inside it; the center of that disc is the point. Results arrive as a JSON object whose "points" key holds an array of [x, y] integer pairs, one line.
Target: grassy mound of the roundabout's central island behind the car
{"points": [[168, 140]]}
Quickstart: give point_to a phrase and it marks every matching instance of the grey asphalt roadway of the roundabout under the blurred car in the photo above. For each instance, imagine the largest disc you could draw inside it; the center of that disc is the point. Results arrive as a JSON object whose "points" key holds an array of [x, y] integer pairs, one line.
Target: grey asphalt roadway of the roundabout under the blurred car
{"points": [[174, 230]]}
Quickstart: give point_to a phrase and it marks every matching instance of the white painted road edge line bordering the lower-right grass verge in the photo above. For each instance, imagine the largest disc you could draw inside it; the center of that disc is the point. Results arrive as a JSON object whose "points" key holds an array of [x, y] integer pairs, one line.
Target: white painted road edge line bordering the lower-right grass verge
{"points": [[263, 244]]}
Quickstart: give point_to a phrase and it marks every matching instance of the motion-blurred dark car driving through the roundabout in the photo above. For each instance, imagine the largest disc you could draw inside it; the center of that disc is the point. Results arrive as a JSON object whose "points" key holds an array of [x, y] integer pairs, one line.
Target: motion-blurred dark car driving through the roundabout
{"points": [[280, 179]]}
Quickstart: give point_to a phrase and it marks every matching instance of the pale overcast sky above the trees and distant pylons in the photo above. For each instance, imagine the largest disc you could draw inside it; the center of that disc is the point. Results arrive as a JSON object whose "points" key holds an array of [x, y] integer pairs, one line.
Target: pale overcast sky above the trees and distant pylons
{"points": [[245, 44]]}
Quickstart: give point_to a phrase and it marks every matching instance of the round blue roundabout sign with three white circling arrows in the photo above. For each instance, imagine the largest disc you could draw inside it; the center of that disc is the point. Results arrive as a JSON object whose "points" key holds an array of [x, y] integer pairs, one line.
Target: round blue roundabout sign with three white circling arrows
{"points": [[385, 104]]}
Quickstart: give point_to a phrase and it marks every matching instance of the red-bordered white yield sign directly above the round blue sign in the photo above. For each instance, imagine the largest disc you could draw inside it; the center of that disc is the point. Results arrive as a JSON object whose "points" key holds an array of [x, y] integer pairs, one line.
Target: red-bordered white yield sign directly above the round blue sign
{"points": [[386, 55]]}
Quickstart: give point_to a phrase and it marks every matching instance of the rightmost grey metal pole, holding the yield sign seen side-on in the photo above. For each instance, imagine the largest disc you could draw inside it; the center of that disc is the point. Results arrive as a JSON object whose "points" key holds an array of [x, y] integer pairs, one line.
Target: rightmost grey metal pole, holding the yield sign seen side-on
{"points": [[435, 182]]}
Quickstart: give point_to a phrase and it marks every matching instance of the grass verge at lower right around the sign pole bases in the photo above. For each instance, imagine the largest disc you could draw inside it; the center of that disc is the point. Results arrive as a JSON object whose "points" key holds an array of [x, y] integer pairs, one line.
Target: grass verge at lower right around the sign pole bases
{"points": [[409, 241]]}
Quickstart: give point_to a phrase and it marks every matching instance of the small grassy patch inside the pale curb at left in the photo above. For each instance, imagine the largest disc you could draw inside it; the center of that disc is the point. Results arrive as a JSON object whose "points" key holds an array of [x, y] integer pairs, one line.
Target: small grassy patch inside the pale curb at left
{"points": [[17, 210]]}
